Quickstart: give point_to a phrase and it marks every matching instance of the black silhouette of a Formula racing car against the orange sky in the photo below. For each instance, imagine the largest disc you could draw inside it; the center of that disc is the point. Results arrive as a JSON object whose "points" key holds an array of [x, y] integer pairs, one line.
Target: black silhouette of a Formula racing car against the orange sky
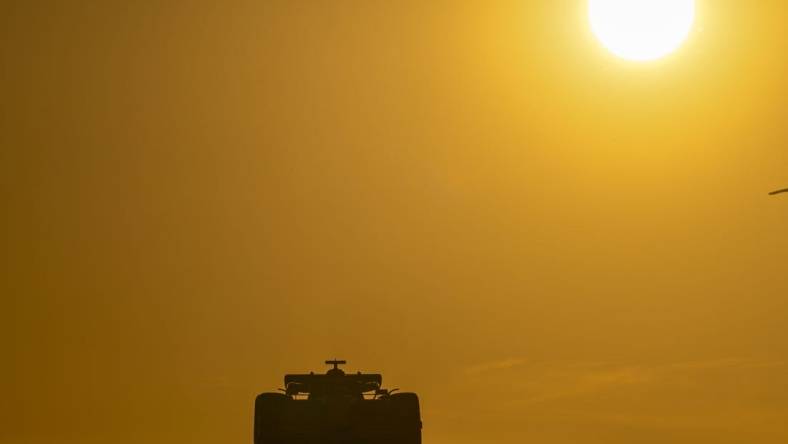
{"points": [[336, 408]]}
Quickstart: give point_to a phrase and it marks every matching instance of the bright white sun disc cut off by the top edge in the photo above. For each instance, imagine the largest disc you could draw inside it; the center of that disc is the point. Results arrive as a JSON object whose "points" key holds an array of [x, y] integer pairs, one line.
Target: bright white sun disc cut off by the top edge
{"points": [[641, 30]]}
